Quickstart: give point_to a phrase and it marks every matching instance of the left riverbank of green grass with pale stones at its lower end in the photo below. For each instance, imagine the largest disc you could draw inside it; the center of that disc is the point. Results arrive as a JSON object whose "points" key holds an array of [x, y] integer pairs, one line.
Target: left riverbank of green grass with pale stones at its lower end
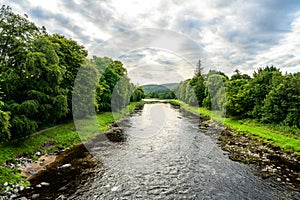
{"points": [[17, 155]]}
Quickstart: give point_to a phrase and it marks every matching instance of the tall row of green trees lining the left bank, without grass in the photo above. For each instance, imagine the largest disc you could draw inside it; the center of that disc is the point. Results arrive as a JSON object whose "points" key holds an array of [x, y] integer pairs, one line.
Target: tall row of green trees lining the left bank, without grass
{"points": [[37, 75]]}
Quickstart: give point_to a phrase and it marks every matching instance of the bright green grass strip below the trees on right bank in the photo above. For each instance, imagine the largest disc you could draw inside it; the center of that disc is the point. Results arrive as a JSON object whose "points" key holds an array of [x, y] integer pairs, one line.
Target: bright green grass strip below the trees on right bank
{"points": [[278, 135]]}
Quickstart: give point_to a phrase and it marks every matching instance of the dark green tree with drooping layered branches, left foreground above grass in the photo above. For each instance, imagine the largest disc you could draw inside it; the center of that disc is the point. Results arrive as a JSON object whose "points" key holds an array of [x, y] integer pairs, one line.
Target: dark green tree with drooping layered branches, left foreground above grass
{"points": [[36, 98]]}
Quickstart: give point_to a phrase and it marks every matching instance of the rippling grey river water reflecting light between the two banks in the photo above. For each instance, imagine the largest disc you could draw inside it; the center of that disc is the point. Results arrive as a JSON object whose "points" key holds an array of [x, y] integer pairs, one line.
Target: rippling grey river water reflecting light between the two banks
{"points": [[166, 156]]}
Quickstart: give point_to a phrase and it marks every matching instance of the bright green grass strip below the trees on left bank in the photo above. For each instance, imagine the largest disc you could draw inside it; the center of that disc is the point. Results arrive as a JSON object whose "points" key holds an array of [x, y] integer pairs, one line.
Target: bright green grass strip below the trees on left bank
{"points": [[63, 136]]}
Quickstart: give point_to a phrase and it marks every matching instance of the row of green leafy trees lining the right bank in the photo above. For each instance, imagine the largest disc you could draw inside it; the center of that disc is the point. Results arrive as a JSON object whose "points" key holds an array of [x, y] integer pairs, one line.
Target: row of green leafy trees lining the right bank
{"points": [[269, 96]]}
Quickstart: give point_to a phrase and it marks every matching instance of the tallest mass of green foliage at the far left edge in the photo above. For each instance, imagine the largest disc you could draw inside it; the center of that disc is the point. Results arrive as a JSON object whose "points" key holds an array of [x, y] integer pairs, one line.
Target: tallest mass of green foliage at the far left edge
{"points": [[31, 76]]}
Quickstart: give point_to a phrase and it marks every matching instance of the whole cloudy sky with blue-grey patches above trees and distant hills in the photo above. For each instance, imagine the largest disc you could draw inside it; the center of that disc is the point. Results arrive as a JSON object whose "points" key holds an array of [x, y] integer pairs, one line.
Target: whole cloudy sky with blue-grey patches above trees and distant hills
{"points": [[161, 40]]}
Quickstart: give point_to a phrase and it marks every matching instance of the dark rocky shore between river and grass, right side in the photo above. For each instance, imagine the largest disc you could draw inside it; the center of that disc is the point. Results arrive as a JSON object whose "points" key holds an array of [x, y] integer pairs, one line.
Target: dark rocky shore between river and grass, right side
{"points": [[271, 160]]}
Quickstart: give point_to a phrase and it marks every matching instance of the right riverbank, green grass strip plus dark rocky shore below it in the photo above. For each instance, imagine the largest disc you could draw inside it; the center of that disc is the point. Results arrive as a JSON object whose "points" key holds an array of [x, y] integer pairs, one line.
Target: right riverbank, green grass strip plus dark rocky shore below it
{"points": [[277, 153]]}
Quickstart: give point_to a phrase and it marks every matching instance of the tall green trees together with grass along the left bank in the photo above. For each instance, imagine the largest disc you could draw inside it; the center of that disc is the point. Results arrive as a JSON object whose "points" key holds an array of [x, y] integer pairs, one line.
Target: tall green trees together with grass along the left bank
{"points": [[37, 75]]}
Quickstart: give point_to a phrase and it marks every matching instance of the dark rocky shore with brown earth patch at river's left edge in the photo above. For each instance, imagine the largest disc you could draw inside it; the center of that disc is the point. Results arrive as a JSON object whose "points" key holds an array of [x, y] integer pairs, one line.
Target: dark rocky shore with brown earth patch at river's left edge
{"points": [[51, 167]]}
